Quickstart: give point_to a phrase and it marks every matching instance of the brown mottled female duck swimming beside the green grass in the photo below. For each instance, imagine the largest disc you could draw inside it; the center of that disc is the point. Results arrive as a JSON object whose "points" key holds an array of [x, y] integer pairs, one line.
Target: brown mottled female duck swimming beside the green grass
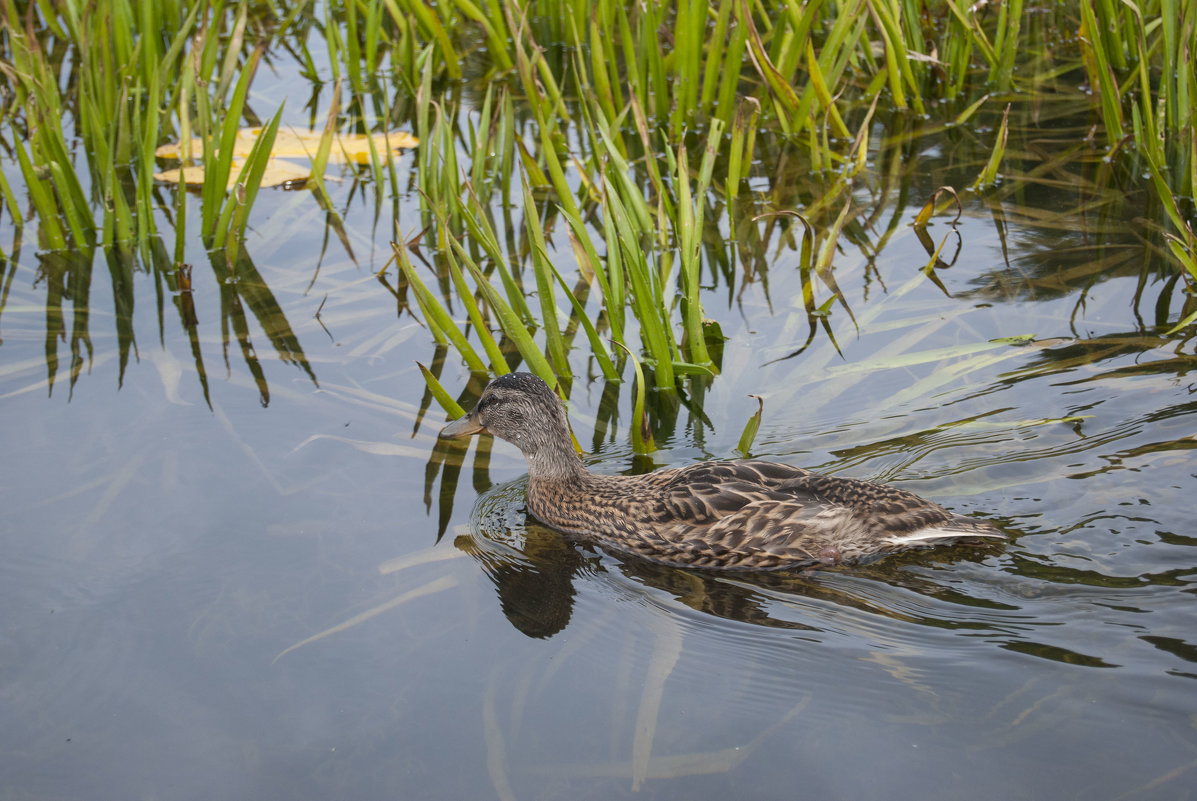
{"points": [[740, 515]]}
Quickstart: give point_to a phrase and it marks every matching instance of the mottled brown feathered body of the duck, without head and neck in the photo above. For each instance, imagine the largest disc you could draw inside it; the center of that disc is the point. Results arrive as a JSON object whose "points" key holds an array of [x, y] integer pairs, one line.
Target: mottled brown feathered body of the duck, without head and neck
{"points": [[748, 515]]}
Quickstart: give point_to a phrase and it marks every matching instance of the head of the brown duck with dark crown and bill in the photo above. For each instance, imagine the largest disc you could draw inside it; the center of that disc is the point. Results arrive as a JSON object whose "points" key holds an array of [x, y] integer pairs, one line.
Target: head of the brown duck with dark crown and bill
{"points": [[521, 409]]}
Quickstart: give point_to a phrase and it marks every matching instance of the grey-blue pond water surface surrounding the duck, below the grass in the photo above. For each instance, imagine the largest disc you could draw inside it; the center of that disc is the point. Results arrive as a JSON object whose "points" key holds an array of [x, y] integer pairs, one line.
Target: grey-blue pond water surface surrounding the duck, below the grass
{"points": [[269, 580]]}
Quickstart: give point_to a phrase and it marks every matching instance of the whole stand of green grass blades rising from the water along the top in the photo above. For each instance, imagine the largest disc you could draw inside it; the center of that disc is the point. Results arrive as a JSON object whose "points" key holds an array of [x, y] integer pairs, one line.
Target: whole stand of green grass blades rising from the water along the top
{"points": [[594, 135]]}
